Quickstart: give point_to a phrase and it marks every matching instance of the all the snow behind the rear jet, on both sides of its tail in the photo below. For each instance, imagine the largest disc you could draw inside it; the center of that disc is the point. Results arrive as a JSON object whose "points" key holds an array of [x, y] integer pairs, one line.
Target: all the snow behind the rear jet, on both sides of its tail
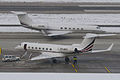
{"points": [[61, 20]]}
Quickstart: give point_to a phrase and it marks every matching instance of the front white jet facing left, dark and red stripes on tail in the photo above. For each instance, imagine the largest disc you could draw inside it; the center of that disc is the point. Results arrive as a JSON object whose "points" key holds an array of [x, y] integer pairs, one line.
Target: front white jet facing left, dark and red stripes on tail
{"points": [[54, 51]]}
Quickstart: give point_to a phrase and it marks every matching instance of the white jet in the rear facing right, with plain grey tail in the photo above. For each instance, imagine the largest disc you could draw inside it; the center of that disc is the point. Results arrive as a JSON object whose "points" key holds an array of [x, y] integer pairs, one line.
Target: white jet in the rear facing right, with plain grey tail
{"points": [[52, 30]]}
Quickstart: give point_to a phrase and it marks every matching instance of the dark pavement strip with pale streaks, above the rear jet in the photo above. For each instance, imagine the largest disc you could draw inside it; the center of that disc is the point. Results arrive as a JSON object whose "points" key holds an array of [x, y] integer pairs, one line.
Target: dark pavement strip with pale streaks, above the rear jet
{"points": [[61, 7]]}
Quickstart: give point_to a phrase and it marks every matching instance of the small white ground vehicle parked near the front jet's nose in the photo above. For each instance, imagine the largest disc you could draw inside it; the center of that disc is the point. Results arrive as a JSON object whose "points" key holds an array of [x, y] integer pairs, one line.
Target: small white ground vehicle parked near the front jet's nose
{"points": [[10, 58]]}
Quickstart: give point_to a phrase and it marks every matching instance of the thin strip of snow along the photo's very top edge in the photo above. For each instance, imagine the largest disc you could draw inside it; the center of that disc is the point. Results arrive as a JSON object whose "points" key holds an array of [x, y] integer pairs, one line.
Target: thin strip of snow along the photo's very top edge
{"points": [[60, 0]]}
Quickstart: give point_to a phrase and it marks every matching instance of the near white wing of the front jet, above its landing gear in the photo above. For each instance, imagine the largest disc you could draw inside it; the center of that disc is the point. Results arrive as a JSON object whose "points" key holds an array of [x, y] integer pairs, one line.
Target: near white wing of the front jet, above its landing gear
{"points": [[47, 55]]}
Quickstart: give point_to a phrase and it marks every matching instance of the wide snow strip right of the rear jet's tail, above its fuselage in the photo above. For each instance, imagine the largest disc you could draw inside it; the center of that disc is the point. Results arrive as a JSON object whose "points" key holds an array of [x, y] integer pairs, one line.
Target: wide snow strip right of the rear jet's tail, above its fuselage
{"points": [[77, 19]]}
